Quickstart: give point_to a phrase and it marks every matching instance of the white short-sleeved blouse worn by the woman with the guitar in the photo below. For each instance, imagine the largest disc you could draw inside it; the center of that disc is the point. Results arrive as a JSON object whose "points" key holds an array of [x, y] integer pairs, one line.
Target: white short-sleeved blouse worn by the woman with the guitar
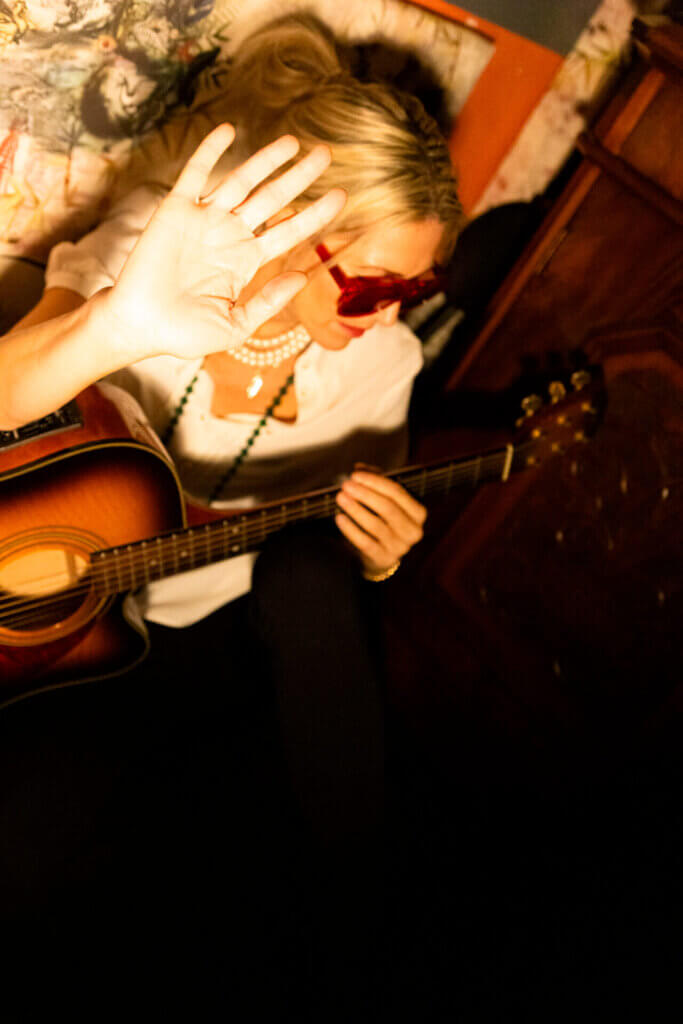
{"points": [[352, 407]]}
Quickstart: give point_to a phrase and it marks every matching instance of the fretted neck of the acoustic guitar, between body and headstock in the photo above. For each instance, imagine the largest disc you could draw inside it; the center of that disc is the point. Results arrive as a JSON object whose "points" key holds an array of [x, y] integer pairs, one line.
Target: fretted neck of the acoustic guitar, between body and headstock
{"points": [[122, 570]]}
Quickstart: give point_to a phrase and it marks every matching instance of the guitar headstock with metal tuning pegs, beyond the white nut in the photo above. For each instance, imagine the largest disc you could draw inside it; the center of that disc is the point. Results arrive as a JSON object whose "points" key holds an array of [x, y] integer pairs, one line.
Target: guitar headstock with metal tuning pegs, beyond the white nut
{"points": [[569, 413]]}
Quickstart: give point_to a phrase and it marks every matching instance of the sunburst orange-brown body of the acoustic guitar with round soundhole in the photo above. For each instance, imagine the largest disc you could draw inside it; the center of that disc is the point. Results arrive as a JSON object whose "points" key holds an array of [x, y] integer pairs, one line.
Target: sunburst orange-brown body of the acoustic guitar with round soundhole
{"points": [[105, 482]]}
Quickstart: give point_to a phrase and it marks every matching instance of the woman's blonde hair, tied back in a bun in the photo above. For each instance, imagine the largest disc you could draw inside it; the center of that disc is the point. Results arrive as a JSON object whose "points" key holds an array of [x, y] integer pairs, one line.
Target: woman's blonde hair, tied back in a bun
{"points": [[388, 153]]}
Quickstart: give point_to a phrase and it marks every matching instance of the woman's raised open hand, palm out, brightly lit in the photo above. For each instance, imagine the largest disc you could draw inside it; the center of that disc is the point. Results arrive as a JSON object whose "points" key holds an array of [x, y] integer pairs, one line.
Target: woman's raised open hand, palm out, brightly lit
{"points": [[180, 290]]}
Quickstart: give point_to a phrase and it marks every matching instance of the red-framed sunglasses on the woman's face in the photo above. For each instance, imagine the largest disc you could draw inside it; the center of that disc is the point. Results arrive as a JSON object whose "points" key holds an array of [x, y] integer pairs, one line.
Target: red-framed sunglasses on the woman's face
{"points": [[364, 295]]}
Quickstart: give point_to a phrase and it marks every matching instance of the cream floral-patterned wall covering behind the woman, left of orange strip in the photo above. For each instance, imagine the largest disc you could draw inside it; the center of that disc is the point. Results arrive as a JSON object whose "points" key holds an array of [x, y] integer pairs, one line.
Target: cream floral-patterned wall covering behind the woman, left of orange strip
{"points": [[84, 82]]}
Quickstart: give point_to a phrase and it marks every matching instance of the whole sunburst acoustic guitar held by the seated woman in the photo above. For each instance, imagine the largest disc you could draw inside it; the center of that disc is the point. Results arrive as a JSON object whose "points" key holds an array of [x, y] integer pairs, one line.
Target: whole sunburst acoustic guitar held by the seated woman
{"points": [[92, 509]]}
